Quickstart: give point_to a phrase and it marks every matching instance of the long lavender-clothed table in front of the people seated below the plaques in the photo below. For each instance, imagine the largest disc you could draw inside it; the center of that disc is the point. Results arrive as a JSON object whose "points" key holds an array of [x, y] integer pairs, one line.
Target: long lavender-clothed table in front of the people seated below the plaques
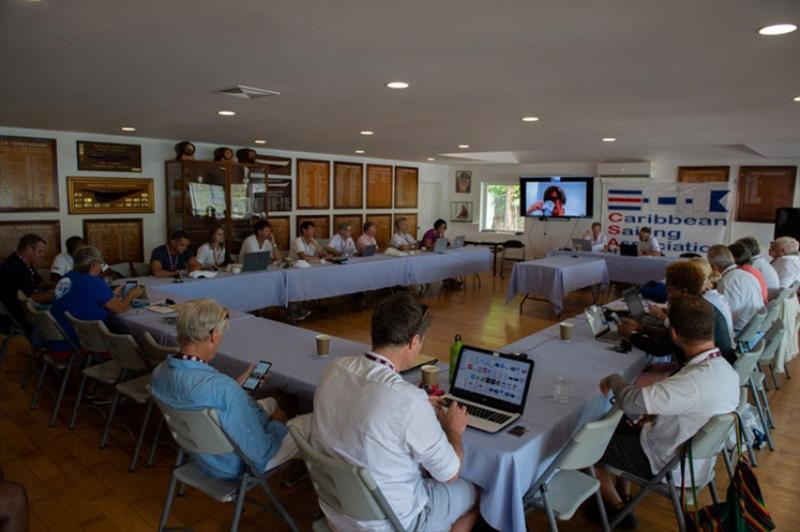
{"points": [[277, 287]]}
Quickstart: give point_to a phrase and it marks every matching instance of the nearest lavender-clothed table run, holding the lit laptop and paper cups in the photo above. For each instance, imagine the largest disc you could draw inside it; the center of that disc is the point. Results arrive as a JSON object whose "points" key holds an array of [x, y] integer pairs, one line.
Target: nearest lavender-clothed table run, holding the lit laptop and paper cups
{"points": [[502, 465]]}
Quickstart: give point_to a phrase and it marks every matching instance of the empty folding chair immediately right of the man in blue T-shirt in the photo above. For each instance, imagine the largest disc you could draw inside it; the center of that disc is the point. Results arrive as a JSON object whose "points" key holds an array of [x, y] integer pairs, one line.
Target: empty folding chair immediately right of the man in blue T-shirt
{"points": [[93, 343]]}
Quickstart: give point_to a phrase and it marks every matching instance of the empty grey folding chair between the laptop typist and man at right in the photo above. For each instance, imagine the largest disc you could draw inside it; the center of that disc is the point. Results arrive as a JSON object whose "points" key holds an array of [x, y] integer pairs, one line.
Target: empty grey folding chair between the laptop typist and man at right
{"points": [[562, 488]]}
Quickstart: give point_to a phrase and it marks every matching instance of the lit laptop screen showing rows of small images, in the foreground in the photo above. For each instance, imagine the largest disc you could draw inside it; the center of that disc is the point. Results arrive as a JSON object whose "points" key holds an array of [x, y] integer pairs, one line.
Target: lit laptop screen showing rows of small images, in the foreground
{"points": [[500, 381]]}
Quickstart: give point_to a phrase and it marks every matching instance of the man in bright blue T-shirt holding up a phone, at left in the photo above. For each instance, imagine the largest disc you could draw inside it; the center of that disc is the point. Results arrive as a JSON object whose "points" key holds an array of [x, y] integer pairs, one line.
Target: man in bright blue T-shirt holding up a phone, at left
{"points": [[85, 295]]}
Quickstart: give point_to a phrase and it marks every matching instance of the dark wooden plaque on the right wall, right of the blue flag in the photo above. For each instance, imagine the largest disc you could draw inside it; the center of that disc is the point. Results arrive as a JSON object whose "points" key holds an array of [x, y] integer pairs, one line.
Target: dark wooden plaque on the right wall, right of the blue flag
{"points": [[762, 190]]}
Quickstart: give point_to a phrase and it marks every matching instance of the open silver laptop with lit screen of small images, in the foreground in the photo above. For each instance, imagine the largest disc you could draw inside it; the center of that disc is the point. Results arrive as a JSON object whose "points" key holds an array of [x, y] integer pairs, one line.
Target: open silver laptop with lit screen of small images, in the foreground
{"points": [[493, 388]]}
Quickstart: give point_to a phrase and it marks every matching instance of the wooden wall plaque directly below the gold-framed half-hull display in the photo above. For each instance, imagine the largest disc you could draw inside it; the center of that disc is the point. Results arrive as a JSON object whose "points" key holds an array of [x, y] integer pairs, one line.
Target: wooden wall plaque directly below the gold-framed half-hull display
{"points": [[120, 239]]}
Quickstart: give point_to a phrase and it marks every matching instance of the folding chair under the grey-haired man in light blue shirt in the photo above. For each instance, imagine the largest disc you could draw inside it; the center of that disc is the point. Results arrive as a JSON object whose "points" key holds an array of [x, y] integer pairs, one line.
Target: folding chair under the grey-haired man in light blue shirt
{"points": [[199, 432]]}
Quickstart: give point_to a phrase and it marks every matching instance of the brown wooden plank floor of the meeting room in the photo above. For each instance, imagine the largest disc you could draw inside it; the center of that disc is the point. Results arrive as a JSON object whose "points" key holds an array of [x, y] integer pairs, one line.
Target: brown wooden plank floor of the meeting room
{"points": [[73, 485]]}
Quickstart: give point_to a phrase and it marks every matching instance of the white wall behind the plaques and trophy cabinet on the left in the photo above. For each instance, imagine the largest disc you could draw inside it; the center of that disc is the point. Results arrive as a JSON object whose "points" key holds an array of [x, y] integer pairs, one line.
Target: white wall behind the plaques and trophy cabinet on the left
{"points": [[154, 153]]}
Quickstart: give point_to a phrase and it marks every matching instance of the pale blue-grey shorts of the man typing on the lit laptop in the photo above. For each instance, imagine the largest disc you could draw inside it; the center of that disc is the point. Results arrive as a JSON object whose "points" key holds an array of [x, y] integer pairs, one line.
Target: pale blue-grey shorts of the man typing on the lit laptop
{"points": [[447, 502]]}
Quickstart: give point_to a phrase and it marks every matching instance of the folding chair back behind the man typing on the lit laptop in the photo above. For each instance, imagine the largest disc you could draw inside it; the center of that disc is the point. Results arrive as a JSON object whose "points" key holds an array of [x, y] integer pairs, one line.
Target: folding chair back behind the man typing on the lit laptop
{"points": [[346, 488]]}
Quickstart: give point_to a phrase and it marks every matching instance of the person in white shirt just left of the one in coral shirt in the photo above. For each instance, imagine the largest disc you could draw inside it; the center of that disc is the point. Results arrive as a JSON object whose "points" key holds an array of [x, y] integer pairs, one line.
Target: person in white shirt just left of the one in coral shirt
{"points": [[740, 288]]}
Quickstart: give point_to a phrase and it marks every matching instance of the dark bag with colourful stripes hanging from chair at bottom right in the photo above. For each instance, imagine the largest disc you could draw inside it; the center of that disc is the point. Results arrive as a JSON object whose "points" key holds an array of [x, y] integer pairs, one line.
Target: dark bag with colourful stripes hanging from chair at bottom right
{"points": [[744, 509]]}
